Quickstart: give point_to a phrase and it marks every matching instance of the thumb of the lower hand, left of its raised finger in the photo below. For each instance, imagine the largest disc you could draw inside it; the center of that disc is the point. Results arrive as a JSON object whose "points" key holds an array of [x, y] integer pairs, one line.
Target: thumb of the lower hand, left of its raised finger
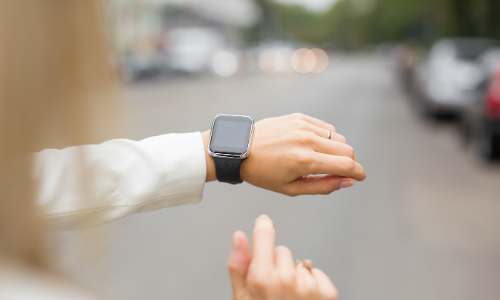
{"points": [[238, 262]]}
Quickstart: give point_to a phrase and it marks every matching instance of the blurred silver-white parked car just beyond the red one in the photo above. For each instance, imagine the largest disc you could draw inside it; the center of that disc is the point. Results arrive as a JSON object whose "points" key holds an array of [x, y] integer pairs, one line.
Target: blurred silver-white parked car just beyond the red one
{"points": [[451, 75]]}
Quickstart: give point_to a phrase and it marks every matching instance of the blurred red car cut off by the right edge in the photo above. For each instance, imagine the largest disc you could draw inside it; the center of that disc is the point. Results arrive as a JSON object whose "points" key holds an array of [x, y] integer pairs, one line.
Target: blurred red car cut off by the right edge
{"points": [[481, 119]]}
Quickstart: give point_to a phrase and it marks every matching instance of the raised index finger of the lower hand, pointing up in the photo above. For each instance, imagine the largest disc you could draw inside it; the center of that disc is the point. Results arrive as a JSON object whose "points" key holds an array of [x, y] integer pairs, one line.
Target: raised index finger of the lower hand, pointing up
{"points": [[263, 243]]}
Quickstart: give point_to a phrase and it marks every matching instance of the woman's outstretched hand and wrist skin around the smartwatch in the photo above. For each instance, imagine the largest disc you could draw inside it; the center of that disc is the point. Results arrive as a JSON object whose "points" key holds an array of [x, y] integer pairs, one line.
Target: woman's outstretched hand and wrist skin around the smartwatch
{"points": [[287, 150]]}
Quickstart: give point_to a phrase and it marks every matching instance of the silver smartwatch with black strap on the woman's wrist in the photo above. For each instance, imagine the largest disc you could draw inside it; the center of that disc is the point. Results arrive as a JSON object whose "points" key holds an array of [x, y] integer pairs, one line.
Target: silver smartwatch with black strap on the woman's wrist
{"points": [[229, 145]]}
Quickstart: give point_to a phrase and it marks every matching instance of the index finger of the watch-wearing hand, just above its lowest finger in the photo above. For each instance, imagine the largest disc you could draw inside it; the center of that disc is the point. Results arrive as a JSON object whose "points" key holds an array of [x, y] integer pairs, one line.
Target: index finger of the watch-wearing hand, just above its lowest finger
{"points": [[336, 165]]}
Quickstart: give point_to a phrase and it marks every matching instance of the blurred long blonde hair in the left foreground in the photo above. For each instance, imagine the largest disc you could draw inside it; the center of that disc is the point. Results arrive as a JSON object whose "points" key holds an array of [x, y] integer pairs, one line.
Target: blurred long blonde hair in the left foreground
{"points": [[57, 89]]}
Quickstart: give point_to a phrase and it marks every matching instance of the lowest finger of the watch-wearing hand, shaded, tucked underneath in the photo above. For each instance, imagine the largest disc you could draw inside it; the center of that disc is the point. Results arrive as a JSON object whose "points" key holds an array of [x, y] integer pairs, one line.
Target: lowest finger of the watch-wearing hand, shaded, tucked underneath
{"points": [[319, 185]]}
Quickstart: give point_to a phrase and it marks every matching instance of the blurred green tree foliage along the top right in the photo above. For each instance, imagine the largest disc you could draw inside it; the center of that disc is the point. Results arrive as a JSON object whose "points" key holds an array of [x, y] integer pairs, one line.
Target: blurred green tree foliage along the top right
{"points": [[360, 23]]}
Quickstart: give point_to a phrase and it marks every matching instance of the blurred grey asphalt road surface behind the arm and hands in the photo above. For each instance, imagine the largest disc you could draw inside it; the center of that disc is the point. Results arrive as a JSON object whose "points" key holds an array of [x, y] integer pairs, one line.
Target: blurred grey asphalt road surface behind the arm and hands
{"points": [[424, 225]]}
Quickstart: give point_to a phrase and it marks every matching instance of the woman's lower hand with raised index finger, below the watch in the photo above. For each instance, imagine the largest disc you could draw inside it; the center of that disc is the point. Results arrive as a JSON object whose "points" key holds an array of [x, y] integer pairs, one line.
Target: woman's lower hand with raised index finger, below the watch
{"points": [[270, 273]]}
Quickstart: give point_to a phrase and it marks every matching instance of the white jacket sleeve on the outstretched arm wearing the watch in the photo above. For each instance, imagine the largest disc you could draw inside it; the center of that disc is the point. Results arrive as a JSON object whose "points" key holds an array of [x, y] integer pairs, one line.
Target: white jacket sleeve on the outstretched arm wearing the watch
{"points": [[90, 185]]}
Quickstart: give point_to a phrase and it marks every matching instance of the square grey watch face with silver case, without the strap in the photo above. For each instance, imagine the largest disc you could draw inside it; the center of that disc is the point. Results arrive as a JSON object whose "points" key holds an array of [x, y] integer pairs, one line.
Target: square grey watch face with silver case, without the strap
{"points": [[231, 134]]}
